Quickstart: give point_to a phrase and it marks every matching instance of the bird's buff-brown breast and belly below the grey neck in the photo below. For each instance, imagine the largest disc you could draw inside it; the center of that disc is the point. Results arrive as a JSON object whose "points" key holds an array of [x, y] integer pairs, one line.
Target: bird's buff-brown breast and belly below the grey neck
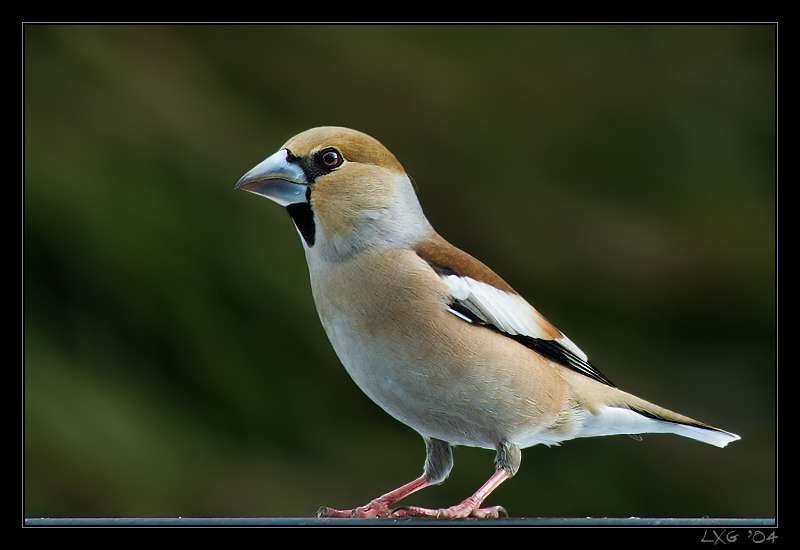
{"points": [[387, 320]]}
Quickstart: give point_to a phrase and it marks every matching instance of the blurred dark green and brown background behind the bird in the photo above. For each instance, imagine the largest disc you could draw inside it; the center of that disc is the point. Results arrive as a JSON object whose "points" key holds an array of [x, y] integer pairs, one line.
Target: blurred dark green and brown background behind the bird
{"points": [[620, 177]]}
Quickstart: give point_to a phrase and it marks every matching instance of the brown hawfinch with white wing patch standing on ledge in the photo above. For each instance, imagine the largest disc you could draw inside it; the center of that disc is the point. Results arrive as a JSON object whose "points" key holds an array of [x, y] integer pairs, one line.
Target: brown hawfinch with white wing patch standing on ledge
{"points": [[432, 335]]}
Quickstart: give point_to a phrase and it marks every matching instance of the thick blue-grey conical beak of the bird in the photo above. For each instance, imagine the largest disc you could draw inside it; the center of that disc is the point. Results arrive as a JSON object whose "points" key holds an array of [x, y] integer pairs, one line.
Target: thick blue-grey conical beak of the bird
{"points": [[277, 179]]}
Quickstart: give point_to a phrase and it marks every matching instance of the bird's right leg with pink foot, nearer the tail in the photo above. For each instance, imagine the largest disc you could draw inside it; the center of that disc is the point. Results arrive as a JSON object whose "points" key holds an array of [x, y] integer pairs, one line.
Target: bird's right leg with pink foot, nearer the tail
{"points": [[508, 459]]}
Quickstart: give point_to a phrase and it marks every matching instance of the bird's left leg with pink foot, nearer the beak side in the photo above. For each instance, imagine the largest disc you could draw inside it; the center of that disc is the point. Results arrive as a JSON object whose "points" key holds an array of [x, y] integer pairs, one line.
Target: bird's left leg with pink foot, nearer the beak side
{"points": [[438, 463]]}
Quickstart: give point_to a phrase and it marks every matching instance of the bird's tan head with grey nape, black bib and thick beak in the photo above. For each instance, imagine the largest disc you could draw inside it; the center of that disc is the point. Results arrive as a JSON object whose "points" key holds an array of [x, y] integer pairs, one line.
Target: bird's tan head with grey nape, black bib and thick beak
{"points": [[344, 191]]}
